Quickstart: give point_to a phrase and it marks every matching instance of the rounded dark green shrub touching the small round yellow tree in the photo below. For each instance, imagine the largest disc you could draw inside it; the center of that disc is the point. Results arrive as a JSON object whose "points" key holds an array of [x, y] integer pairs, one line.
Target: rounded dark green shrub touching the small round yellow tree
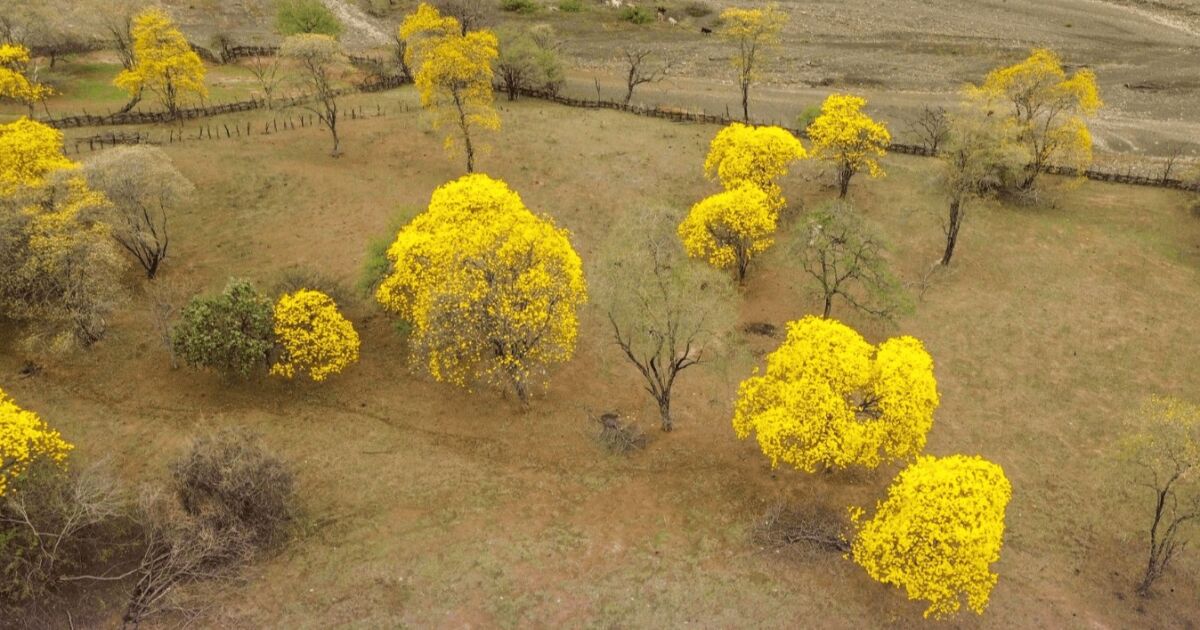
{"points": [[231, 333]]}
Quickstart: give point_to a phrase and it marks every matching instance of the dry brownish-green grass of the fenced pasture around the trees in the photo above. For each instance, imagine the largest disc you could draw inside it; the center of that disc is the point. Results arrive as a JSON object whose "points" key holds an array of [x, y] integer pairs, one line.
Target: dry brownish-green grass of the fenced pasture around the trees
{"points": [[430, 507]]}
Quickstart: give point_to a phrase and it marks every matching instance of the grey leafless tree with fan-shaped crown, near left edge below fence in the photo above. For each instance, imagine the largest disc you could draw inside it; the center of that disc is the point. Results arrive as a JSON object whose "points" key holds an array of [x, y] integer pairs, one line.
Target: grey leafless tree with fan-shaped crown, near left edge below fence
{"points": [[146, 189]]}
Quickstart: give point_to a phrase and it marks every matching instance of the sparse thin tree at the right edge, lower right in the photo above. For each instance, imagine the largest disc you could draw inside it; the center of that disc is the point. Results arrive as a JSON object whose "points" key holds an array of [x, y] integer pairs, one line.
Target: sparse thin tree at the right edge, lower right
{"points": [[1162, 451]]}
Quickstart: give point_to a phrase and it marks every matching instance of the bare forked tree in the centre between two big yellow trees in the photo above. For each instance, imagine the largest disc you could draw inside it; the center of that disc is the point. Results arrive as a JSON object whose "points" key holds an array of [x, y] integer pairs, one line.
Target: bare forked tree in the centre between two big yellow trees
{"points": [[668, 314]]}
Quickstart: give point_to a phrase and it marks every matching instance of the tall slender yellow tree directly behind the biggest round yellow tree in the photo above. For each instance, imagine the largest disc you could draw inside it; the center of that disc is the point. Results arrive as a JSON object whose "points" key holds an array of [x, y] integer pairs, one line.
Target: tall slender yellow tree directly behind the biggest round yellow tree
{"points": [[454, 75]]}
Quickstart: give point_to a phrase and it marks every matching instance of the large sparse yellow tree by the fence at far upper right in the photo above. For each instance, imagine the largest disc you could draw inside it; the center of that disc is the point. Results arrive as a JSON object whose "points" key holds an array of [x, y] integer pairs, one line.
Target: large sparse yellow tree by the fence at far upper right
{"points": [[1049, 109]]}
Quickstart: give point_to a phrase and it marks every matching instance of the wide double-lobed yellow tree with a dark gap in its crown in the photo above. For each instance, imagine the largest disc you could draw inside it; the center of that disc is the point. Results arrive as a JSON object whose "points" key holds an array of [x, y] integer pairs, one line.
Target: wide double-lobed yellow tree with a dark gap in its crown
{"points": [[831, 400]]}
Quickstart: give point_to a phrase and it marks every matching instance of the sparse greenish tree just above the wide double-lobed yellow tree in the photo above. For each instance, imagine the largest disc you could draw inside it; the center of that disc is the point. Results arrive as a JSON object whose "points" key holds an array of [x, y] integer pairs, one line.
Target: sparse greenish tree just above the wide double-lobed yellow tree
{"points": [[847, 259]]}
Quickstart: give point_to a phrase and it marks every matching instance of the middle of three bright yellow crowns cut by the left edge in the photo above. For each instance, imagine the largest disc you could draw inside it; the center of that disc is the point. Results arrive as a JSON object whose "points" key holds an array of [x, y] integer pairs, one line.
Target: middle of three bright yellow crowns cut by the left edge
{"points": [[29, 152]]}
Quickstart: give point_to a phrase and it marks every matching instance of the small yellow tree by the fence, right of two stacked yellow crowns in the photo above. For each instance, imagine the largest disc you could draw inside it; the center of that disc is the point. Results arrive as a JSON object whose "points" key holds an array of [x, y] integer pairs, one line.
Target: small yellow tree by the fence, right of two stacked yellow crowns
{"points": [[847, 137]]}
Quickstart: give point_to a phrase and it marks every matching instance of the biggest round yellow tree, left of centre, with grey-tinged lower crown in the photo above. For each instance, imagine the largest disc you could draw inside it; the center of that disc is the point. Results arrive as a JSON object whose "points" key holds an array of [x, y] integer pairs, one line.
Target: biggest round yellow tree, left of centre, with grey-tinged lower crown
{"points": [[491, 290]]}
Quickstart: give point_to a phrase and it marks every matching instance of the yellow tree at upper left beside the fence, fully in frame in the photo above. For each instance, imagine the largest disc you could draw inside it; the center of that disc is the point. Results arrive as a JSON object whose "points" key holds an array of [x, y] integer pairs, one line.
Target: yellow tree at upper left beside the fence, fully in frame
{"points": [[164, 62]]}
